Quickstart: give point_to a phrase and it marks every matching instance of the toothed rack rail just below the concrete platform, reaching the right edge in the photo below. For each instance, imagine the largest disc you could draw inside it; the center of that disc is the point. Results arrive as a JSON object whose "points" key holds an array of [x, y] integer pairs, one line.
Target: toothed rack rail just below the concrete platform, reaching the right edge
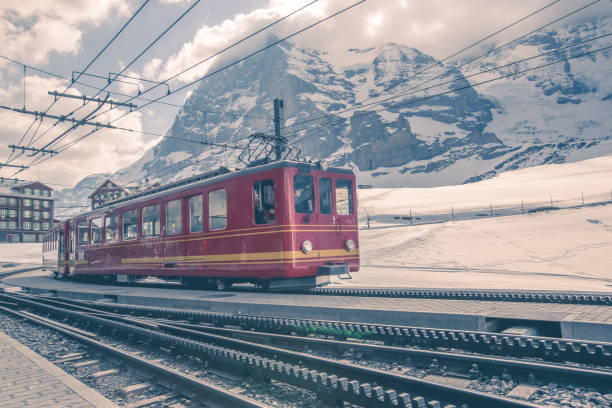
{"points": [[547, 348]]}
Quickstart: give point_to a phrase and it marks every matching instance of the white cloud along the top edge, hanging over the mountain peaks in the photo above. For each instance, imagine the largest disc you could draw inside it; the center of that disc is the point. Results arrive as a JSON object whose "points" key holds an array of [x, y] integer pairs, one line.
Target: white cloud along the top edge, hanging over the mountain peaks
{"points": [[436, 27]]}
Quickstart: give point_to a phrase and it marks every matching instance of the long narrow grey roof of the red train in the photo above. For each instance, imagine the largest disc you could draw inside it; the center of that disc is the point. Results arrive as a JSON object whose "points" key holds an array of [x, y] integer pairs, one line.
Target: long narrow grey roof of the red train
{"points": [[220, 174]]}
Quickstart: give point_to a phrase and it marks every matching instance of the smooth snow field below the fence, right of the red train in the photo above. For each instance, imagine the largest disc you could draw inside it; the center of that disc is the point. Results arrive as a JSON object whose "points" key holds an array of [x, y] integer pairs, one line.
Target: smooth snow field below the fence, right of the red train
{"points": [[559, 250]]}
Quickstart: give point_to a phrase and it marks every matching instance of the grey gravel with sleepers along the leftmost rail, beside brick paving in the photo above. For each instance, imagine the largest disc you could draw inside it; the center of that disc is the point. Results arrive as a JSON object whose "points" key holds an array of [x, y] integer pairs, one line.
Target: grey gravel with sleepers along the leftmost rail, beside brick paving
{"points": [[51, 345]]}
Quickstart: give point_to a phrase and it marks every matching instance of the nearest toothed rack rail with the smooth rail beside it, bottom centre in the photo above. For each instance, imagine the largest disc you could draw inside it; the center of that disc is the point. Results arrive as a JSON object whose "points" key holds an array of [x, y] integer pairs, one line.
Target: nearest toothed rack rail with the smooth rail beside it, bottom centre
{"points": [[315, 377]]}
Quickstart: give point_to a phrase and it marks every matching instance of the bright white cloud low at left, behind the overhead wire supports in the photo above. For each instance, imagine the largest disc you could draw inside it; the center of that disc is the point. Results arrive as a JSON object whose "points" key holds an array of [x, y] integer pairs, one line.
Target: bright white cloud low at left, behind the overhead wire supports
{"points": [[104, 151]]}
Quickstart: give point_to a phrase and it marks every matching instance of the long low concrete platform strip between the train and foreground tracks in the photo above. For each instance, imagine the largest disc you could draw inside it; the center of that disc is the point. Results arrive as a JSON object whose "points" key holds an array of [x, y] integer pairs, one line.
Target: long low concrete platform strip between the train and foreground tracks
{"points": [[577, 321]]}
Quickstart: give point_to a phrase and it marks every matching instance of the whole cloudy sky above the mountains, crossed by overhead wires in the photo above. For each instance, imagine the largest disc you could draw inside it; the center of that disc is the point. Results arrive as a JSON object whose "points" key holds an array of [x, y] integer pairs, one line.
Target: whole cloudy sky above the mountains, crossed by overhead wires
{"points": [[62, 37]]}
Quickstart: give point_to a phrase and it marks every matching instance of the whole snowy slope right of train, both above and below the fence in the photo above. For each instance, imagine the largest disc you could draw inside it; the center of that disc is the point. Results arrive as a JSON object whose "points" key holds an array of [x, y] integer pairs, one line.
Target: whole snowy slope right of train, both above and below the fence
{"points": [[558, 250]]}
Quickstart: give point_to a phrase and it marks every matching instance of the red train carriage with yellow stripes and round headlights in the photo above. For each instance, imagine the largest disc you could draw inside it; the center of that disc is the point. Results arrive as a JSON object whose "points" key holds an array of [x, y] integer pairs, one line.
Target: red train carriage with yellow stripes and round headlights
{"points": [[279, 225]]}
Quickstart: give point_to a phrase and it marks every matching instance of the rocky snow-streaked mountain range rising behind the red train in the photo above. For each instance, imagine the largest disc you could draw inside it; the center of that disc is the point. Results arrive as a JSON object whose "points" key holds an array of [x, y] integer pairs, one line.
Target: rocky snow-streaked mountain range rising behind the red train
{"points": [[419, 133]]}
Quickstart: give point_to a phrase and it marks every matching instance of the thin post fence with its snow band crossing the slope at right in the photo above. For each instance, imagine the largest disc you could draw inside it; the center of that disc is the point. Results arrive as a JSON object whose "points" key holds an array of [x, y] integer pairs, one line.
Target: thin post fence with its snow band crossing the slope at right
{"points": [[372, 218]]}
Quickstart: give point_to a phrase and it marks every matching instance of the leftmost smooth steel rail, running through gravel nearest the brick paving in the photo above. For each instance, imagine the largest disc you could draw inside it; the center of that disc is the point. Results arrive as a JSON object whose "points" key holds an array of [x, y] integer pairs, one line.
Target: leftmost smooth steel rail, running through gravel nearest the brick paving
{"points": [[209, 392]]}
